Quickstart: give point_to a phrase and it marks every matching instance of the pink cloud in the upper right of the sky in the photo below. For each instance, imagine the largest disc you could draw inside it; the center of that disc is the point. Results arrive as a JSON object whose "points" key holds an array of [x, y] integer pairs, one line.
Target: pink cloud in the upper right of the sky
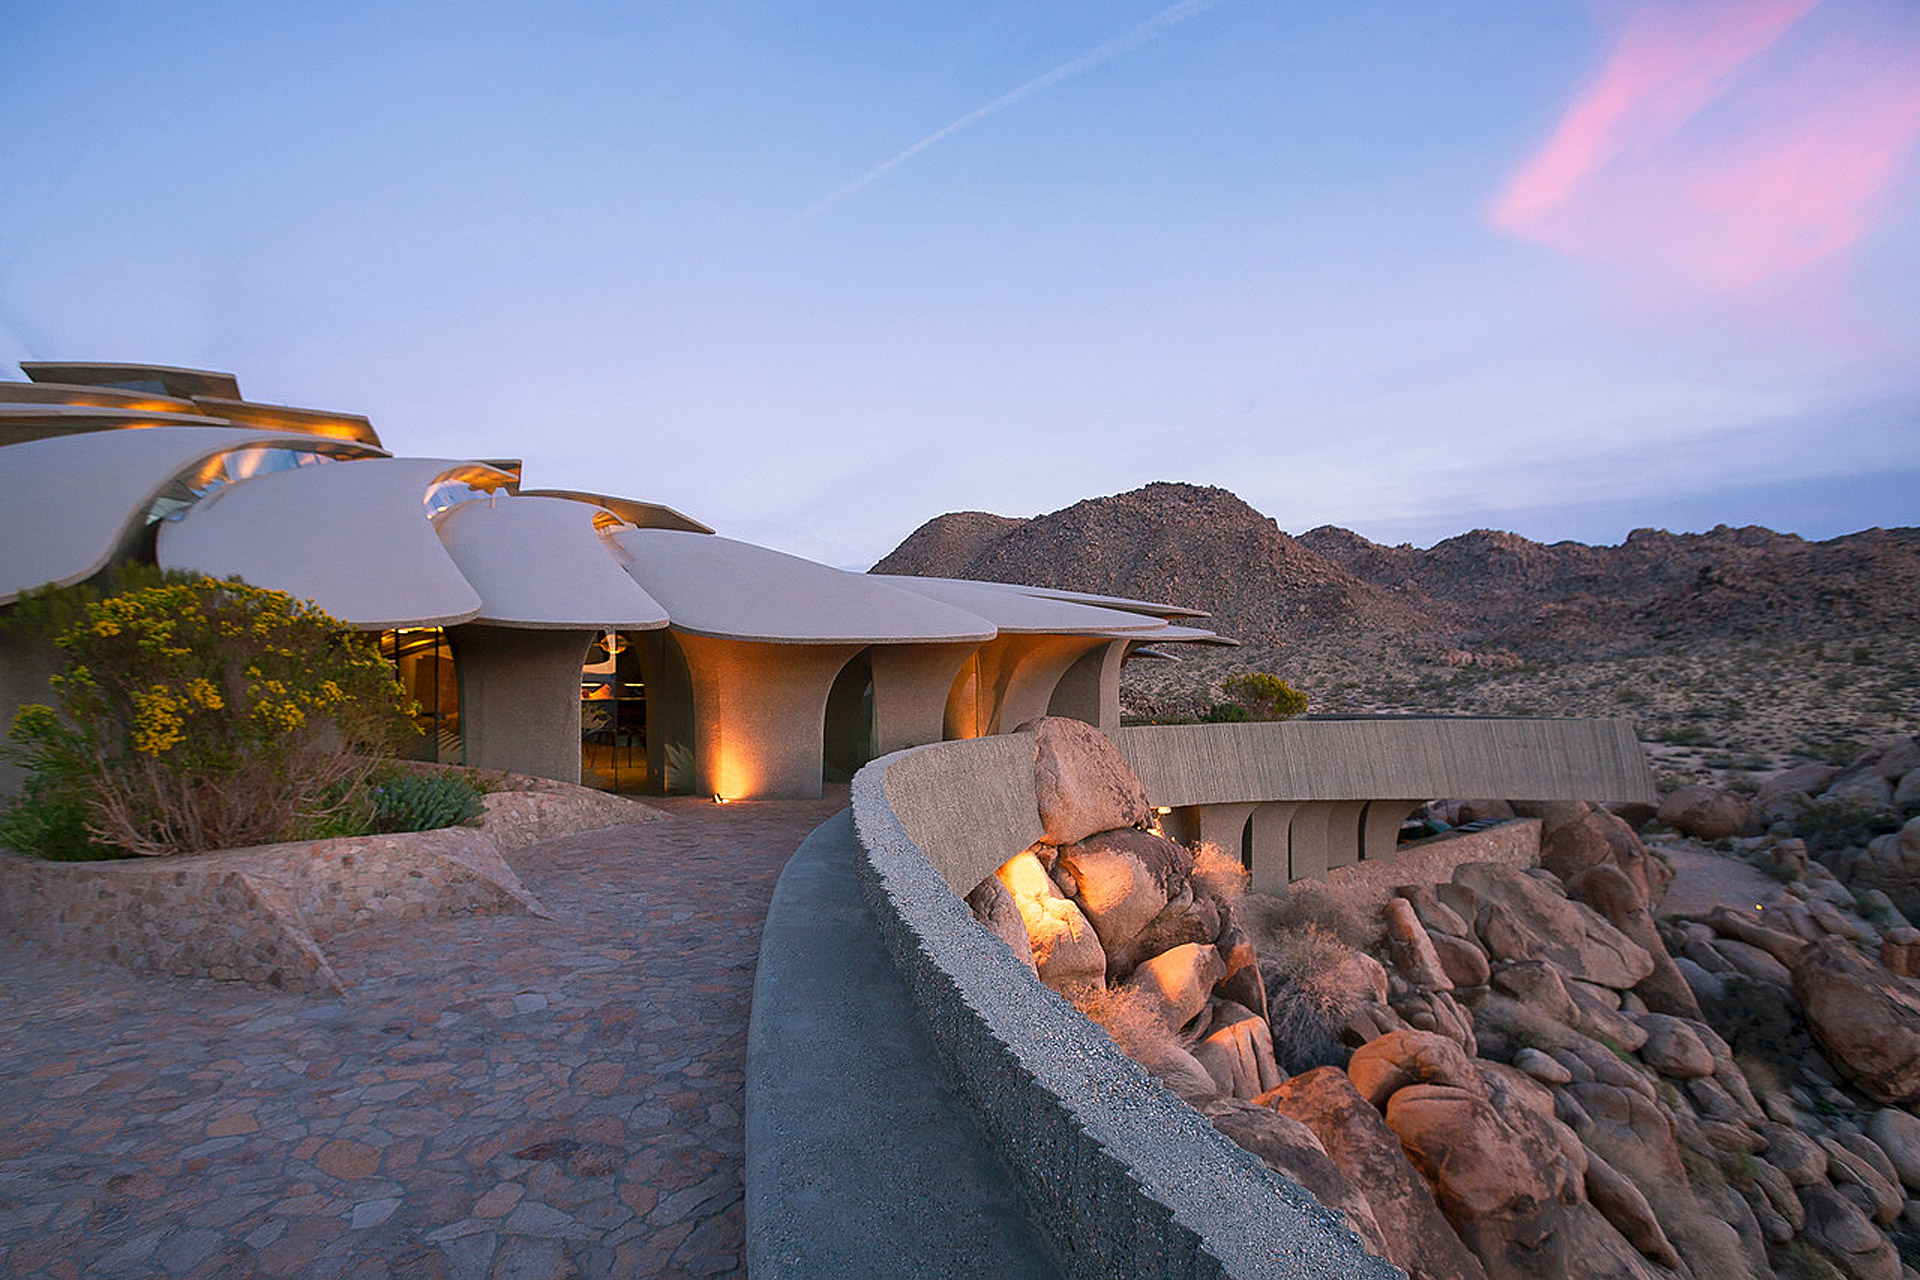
{"points": [[1727, 145]]}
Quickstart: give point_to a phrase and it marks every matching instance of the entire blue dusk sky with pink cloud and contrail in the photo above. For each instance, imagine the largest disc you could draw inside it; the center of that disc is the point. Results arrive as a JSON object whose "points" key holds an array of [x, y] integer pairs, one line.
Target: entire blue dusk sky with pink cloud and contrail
{"points": [[819, 273]]}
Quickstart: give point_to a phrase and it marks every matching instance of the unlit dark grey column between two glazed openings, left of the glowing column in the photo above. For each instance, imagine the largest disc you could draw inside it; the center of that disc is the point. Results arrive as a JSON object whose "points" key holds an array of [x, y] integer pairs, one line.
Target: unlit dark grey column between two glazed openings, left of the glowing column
{"points": [[521, 698]]}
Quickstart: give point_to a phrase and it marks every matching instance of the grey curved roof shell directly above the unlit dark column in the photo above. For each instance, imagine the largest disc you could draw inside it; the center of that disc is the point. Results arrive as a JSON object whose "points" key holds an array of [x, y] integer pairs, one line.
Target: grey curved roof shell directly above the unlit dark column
{"points": [[540, 563]]}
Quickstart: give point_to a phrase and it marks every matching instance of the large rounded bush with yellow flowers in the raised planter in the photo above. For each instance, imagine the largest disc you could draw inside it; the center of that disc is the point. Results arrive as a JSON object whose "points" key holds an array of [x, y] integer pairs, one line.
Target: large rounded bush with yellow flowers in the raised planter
{"points": [[203, 715]]}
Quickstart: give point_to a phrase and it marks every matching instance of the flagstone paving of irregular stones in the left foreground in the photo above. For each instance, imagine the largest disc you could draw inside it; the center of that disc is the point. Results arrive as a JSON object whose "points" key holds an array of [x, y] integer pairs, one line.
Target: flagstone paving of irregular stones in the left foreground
{"points": [[496, 1095]]}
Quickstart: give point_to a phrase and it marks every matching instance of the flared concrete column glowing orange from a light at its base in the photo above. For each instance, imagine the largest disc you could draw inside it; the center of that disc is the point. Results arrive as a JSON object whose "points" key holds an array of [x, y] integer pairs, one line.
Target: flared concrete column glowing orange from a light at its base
{"points": [[759, 715]]}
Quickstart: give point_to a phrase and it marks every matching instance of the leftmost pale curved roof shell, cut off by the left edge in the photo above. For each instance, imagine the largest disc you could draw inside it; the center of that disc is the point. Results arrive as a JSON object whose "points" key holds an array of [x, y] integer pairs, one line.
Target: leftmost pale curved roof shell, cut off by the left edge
{"points": [[74, 504]]}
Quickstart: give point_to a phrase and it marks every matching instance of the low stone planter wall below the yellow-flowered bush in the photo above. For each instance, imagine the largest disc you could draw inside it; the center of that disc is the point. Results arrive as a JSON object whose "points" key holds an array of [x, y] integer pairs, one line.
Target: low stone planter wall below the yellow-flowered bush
{"points": [[264, 914]]}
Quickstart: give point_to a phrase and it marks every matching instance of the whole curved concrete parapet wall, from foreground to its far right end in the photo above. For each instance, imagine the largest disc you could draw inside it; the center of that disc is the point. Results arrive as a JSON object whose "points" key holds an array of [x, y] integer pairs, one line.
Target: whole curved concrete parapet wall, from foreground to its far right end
{"points": [[1122, 1175]]}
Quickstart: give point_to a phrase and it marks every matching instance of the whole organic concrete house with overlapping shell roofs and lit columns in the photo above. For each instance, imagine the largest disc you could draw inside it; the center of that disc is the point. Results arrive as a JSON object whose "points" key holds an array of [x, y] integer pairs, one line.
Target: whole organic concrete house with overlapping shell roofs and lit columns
{"points": [[564, 634]]}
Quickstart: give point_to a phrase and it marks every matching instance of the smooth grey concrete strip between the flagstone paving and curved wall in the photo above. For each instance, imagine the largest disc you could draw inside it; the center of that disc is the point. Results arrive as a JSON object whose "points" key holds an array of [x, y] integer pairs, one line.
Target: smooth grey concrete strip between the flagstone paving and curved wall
{"points": [[861, 1156]]}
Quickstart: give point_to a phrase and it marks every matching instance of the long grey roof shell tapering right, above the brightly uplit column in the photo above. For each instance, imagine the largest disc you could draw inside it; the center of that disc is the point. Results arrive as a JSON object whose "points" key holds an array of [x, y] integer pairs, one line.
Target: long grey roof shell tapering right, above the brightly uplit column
{"points": [[717, 586]]}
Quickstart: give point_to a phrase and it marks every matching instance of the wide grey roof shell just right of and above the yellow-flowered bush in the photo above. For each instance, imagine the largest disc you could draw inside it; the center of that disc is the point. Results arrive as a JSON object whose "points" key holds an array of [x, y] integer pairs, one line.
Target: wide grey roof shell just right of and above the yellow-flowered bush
{"points": [[352, 538]]}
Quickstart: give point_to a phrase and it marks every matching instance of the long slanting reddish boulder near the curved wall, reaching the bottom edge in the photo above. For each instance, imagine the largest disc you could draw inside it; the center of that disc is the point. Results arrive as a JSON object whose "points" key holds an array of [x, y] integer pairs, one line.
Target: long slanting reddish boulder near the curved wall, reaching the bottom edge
{"points": [[1368, 1152]]}
